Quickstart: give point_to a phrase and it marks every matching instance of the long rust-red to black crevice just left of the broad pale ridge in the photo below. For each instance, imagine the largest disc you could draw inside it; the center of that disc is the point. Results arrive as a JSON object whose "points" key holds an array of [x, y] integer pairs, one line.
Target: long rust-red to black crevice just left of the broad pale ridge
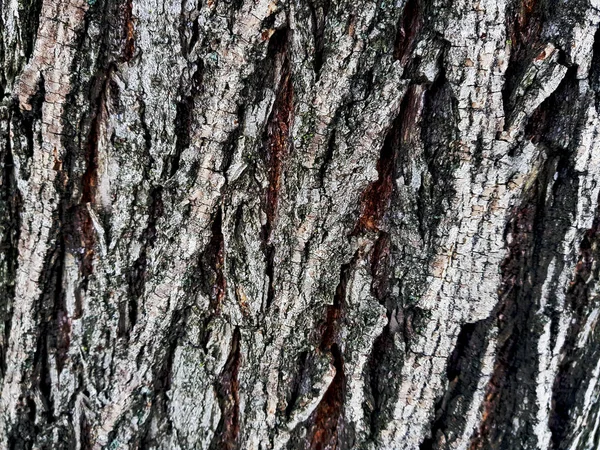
{"points": [[385, 356]]}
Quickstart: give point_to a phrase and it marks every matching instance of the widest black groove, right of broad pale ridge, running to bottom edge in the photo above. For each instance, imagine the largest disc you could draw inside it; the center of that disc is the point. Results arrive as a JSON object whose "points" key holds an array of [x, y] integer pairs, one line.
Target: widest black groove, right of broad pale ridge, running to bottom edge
{"points": [[531, 244]]}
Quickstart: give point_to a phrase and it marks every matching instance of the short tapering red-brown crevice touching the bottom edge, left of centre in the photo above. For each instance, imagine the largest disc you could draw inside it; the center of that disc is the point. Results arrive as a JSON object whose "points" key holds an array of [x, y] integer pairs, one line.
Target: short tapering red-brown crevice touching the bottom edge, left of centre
{"points": [[227, 434]]}
